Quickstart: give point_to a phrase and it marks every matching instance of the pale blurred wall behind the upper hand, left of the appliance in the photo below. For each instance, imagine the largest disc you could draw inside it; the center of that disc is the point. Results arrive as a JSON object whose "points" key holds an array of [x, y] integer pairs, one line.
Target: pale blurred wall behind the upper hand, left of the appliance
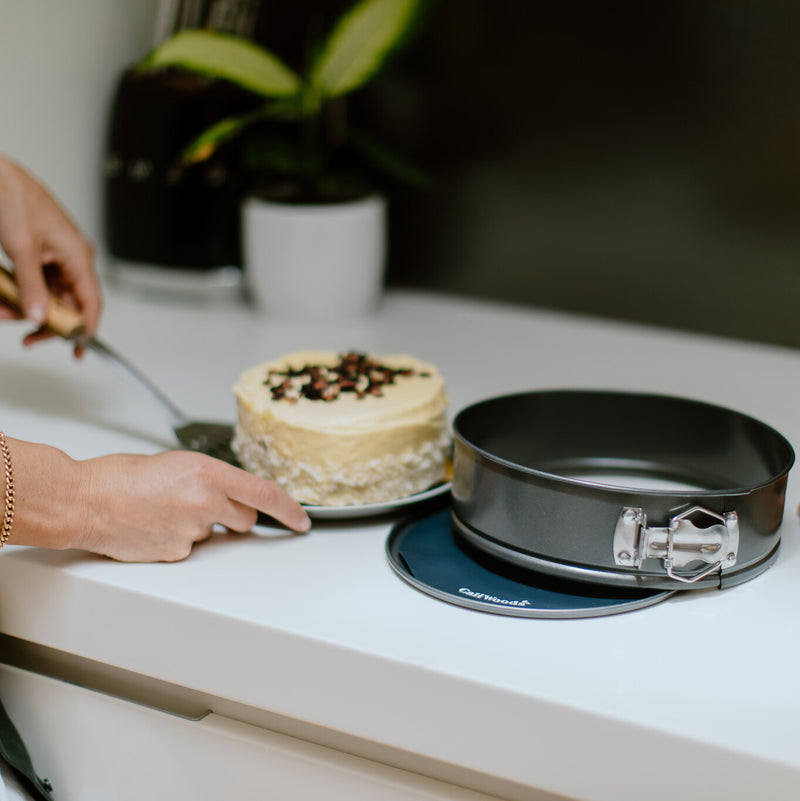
{"points": [[59, 62]]}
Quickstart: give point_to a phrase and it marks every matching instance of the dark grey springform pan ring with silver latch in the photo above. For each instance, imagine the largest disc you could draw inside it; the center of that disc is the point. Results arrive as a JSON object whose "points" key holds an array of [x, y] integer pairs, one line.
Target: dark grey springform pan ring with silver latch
{"points": [[620, 489]]}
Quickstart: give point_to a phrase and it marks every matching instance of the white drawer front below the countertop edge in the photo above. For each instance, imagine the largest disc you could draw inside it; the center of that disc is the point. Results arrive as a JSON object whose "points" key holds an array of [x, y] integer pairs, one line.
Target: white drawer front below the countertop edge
{"points": [[94, 746]]}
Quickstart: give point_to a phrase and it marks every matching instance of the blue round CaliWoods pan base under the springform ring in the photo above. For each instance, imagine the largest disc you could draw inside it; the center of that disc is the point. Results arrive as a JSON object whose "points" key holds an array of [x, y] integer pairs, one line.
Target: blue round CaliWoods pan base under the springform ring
{"points": [[425, 552]]}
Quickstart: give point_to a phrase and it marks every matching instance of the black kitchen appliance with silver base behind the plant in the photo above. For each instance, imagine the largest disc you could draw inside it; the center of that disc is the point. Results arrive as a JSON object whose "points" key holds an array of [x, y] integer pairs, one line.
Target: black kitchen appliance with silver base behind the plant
{"points": [[172, 227]]}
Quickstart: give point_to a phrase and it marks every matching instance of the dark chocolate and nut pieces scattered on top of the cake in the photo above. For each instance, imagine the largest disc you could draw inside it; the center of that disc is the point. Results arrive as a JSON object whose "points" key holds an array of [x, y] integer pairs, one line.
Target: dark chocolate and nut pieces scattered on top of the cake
{"points": [[354, 372]]}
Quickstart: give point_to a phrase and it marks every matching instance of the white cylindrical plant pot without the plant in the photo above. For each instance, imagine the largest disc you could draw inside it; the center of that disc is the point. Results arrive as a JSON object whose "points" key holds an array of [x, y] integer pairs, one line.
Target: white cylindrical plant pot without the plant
{"points": [[315, 261]]}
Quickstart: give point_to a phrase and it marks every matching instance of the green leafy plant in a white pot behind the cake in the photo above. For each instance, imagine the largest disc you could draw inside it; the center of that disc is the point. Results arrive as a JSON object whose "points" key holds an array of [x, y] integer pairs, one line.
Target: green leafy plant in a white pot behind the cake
{"points": [[312, 193]]}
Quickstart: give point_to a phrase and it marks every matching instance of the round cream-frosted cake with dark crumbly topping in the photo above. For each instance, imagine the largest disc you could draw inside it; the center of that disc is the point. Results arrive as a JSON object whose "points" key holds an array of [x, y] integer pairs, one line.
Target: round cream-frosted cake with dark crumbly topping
{"points": [[343, 429]]}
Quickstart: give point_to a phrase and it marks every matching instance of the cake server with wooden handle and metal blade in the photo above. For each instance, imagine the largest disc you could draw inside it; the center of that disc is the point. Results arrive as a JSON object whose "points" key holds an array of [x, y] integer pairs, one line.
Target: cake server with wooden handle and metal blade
{"points": [[207, 437]]}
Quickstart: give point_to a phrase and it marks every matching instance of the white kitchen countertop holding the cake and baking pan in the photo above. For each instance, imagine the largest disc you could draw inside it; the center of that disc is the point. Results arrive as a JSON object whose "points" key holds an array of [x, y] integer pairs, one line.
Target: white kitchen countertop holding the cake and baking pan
{"points": [[696, 697]]}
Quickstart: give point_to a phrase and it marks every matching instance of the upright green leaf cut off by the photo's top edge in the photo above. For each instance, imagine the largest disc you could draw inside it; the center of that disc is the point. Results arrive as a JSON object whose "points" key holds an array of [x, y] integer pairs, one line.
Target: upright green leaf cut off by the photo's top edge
{"points": [[360, 43]]}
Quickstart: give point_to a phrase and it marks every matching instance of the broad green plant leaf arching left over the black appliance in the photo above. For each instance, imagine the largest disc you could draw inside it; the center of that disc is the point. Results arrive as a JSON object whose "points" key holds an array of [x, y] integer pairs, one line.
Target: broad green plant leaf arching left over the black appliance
{"points": [[232, 58]]}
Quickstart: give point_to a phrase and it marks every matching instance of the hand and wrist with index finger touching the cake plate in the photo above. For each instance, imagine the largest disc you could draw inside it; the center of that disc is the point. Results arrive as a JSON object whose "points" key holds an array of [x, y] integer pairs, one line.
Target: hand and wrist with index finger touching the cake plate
{"points": [[137, 508]]}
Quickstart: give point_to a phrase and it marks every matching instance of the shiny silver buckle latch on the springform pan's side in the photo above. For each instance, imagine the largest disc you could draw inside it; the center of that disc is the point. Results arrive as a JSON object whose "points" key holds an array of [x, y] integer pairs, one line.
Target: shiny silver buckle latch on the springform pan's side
{"points": [[695, 535]]}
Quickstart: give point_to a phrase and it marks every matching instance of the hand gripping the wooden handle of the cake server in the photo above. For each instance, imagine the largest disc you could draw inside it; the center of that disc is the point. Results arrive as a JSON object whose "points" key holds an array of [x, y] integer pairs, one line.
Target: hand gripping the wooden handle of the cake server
{"points": [[50, 254]]}
